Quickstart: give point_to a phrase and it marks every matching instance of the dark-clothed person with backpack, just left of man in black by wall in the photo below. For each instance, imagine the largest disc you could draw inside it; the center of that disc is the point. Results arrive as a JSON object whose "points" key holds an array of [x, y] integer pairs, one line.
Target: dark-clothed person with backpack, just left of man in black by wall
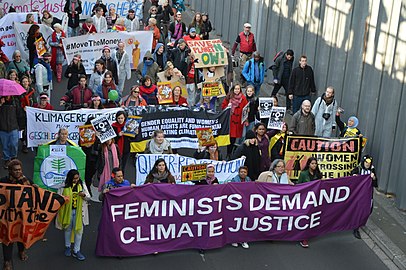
{"points": [[281, 69]]}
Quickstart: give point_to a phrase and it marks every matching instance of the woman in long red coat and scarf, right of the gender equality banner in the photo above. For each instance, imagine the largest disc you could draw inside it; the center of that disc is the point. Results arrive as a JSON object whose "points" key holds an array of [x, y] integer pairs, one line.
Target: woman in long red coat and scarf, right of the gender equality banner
{"points": [[236, 101]]}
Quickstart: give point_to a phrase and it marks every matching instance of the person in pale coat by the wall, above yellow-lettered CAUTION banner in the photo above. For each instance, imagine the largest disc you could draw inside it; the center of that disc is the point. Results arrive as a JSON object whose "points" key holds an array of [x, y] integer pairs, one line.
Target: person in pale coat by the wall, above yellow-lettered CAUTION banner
{"points": [[324, 110]]}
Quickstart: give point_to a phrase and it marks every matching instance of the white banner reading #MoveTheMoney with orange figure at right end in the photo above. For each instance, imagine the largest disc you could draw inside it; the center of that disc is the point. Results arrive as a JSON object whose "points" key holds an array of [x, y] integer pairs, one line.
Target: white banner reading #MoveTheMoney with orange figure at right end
{"points": [[90, 46]]}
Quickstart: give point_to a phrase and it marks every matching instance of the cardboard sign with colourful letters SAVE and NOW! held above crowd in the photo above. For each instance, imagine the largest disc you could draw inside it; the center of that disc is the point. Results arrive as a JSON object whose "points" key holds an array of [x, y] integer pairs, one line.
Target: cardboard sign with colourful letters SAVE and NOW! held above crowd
{"points": [[208, 53]]}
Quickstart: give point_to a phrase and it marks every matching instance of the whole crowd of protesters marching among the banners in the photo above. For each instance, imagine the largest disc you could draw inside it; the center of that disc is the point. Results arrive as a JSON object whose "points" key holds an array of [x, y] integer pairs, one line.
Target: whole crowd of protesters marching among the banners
{"points": [[170, 59]]}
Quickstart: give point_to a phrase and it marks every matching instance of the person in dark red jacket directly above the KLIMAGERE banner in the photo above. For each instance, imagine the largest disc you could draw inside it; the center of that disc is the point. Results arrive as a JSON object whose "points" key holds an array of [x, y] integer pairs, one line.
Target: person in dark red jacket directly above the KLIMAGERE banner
{"points": [[79, 96]]}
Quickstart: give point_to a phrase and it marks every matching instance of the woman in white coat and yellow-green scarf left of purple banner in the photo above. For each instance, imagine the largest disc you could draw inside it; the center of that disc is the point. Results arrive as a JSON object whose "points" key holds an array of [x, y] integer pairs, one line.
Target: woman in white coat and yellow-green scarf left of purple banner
{"points": [[74, 214]]}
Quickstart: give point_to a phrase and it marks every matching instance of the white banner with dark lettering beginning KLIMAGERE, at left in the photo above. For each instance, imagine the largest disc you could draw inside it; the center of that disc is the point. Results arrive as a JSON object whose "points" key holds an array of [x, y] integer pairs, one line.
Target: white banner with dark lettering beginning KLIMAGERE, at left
{"points": [[43, 125]]}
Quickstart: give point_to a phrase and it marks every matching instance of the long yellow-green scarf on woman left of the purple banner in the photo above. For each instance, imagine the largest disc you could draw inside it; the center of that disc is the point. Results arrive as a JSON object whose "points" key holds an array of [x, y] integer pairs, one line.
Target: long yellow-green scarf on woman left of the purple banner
{"points": [[65, 213]]}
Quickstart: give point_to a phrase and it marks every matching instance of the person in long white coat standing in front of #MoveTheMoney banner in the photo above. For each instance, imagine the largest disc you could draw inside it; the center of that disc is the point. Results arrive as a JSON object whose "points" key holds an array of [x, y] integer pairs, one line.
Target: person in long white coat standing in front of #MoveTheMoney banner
{"points": [[123, 66]]}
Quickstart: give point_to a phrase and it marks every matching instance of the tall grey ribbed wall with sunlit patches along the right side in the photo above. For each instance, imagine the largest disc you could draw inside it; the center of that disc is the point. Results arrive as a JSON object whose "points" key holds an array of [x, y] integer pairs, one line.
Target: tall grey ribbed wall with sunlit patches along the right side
{"points": [[359, 47]]}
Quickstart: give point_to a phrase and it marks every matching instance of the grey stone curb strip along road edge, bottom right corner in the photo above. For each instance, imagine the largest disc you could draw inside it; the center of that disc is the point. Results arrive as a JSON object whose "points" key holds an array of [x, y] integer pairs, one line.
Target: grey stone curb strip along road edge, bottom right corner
{"points": [[393, 253]]}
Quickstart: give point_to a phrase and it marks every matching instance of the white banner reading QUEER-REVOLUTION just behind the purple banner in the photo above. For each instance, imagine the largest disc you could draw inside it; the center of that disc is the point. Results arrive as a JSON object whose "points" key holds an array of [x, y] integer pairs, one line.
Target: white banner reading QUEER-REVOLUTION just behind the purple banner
{"points": [[224, 171]]}
